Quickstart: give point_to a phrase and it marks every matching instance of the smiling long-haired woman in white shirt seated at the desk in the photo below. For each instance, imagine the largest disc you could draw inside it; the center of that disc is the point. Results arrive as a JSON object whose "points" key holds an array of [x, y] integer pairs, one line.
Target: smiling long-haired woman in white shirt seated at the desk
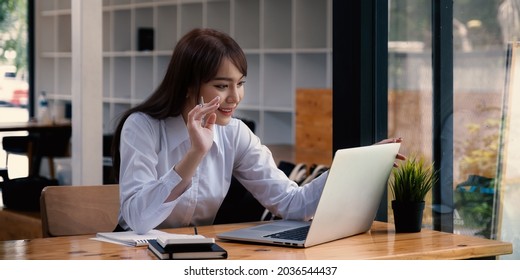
{"points": [[175, 155]]}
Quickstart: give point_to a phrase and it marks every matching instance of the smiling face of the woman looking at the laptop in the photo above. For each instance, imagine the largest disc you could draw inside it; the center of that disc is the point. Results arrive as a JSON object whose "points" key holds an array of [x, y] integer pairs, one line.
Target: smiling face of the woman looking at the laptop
{"points": [[229, 85]]}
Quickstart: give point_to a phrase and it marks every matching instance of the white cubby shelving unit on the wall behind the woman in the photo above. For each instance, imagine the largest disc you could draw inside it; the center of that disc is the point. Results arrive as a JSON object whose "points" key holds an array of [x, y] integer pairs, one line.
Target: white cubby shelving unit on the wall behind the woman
{"points": [[288, 44]]}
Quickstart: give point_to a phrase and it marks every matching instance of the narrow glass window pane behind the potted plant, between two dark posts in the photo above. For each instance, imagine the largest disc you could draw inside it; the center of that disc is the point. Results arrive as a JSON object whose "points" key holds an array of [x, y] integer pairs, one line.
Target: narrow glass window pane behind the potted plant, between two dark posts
{"points": [[410, 82]]}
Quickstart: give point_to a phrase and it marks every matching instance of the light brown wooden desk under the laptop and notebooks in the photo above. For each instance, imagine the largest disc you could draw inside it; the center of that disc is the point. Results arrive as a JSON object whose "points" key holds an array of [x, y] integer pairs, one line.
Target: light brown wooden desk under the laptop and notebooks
{"points": [[380, 242]]}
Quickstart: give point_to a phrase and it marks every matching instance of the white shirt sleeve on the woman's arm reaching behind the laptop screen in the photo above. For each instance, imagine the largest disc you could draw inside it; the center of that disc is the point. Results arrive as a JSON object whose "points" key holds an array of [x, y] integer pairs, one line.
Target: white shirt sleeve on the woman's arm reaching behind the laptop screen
{"points": [[256, 169]]}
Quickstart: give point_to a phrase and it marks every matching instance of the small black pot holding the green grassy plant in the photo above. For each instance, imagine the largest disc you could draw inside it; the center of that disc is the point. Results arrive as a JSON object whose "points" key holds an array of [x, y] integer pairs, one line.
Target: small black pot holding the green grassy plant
{"points": [[407, 216]]}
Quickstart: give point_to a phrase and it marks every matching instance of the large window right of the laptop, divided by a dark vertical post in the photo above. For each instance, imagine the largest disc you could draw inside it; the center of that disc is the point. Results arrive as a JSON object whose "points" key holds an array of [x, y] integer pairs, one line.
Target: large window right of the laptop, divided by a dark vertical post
{"points": [[475, 194]]}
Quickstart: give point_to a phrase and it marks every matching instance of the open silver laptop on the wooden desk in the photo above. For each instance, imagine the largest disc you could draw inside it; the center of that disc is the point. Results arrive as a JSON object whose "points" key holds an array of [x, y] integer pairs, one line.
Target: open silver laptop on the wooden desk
{"points": [[348, 204]]}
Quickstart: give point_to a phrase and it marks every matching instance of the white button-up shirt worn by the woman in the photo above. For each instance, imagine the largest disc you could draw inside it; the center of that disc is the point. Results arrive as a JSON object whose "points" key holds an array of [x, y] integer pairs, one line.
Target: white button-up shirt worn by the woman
{"points": [[150, 148]]}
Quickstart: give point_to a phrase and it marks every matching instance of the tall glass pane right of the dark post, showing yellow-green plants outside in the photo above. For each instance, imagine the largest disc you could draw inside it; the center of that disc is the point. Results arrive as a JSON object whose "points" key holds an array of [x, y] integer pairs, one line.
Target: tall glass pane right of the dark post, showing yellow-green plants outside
{"points": [[479, 68]]}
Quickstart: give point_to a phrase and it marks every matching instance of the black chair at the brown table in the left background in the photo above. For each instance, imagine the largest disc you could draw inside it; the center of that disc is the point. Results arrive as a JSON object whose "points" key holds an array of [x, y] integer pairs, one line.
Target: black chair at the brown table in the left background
{"points": [[37, 145]]}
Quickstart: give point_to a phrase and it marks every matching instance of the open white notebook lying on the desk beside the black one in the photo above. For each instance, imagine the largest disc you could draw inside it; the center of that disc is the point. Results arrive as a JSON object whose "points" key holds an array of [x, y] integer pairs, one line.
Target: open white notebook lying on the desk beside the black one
{"points": [[131, 238]]}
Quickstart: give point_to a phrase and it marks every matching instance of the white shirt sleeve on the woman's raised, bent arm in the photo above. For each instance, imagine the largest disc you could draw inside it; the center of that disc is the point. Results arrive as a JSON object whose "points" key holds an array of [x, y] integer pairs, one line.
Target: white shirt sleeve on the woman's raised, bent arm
{"points": [[142, 192]]}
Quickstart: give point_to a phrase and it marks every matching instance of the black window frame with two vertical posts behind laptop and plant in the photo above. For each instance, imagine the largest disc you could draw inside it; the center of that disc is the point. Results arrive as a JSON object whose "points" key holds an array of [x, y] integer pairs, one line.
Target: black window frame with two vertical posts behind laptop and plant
{"points": [[360, 87]]}
